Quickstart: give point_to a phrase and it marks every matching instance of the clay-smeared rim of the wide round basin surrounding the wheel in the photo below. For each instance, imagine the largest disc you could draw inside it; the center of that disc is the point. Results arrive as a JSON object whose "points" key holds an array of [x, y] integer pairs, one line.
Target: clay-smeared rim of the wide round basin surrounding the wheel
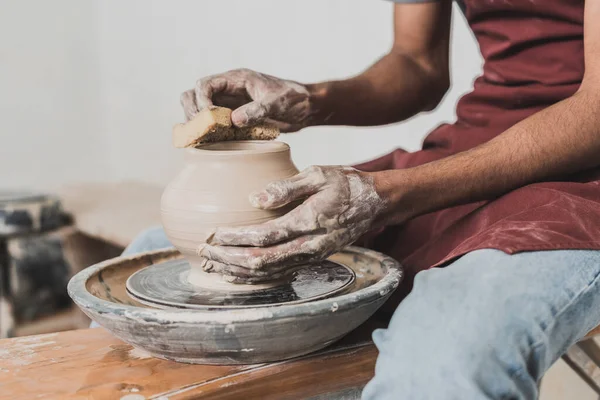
{"points": [[345, 303]]}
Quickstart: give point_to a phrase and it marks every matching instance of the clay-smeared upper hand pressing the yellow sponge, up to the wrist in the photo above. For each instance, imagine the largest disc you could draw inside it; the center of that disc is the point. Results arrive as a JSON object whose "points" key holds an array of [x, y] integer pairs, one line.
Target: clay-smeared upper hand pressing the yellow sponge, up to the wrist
{"points": [[254, 98]]}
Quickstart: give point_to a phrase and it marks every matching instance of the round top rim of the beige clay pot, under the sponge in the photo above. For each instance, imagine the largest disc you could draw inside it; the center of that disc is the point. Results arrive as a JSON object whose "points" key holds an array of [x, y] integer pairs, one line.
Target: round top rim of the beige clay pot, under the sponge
{"points": [[245, 147]]}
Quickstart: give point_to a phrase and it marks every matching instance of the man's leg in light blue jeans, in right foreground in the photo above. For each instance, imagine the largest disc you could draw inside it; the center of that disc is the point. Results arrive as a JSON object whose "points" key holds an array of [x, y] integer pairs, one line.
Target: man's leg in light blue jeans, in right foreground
{"points": [[487, 326]]}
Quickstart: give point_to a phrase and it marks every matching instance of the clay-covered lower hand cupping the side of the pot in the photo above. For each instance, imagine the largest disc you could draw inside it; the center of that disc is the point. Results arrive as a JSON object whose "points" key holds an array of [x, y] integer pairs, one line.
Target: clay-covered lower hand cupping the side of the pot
{"points": [[341, 205]]}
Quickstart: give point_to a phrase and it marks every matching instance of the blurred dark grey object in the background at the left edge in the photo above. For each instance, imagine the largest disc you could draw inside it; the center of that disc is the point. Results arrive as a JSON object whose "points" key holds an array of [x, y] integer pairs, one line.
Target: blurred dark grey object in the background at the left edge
{"points": [[33, 269]]}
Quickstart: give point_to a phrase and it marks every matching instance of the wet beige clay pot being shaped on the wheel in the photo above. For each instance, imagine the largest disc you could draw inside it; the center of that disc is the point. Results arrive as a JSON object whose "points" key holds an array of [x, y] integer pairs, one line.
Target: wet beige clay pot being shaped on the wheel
{"points": [[213, 190]]}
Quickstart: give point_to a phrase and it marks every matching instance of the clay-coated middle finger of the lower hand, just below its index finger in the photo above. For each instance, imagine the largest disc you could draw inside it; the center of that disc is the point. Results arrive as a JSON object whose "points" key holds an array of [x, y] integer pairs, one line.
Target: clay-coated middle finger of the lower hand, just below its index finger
{"points": [[301, 250]]}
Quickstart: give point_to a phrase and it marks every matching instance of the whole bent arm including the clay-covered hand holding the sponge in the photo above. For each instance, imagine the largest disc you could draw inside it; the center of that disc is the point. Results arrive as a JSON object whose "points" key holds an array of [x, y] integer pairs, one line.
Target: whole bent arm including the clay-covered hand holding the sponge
{"points": [[411, 78]]}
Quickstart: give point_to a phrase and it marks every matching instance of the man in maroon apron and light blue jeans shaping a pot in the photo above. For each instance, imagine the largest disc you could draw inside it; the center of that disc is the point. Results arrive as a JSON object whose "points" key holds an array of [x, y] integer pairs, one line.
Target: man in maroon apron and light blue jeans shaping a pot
{"points": [[507, 199]]}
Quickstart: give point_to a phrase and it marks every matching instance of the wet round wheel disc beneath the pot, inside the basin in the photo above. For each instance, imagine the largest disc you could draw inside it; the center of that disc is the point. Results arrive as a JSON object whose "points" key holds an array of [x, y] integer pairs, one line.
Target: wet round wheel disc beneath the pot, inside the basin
{"points": [[166, 285]]}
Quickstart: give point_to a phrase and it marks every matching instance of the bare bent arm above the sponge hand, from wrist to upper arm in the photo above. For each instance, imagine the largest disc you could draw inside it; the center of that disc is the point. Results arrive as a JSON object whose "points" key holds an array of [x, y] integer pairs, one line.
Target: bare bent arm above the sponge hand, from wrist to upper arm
{"points": [[412, 77]]}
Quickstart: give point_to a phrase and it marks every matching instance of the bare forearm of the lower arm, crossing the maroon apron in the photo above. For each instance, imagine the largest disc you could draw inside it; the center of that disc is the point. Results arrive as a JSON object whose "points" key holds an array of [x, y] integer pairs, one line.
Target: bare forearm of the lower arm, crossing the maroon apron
{"points": [[558, 141]]}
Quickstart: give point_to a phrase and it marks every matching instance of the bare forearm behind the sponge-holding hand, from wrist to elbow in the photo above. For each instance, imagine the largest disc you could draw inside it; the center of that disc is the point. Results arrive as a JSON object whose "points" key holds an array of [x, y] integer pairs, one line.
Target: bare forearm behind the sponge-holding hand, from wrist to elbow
{"points": [[395, 88]]}
